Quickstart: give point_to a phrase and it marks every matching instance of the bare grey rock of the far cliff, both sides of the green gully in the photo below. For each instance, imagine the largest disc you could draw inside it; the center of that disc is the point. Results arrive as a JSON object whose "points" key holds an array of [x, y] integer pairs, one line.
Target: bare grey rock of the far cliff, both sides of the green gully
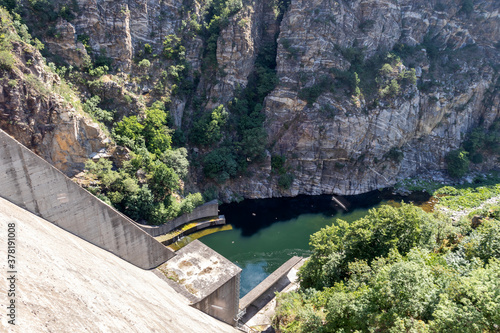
{"points": [[336, 139]]}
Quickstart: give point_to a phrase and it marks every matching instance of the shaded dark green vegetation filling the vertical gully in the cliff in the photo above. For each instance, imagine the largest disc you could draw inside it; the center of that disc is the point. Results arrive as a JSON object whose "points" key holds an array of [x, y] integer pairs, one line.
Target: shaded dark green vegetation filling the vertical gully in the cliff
{"points": [[235, 132]]}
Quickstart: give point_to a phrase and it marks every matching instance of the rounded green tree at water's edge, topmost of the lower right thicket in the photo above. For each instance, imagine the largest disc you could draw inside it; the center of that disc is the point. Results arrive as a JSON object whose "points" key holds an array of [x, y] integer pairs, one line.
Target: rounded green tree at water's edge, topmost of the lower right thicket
{"points": [[382, 230]]}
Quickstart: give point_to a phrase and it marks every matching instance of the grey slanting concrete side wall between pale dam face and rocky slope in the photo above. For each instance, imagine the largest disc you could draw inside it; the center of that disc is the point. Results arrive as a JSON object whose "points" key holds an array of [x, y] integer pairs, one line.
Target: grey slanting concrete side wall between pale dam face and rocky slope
{"points": [[31, 183]]}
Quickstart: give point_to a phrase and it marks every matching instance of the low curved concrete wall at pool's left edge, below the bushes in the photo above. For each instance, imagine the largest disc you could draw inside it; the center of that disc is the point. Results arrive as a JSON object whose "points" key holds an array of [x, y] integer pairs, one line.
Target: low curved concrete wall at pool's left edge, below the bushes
{"points": [[206, 210]]}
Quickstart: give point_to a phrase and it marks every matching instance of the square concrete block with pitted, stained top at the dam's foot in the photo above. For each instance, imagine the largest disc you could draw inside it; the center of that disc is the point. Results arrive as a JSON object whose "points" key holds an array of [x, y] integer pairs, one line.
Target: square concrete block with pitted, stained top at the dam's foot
{"points": [[209, 280]]}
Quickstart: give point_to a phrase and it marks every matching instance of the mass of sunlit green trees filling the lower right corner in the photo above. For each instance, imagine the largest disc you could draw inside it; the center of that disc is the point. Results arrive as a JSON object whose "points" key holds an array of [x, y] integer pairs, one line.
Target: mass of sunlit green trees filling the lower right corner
{"points": [[400, 269]]}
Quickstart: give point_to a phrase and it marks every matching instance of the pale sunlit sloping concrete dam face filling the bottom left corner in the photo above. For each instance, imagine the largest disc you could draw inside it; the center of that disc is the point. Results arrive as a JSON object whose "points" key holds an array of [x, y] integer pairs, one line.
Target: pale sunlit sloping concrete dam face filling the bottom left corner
{"points": [[66, 284]]}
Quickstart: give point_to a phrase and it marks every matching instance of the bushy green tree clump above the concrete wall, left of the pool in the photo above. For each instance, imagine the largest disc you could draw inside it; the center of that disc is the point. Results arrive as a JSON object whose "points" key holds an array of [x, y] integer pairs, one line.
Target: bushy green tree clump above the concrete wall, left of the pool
{"points": [[147, 186]]}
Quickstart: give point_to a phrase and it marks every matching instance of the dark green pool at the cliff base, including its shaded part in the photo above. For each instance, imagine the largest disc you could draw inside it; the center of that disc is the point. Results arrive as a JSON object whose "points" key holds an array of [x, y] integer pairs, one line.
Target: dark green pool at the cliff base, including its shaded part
{"points": [[268, 232]]}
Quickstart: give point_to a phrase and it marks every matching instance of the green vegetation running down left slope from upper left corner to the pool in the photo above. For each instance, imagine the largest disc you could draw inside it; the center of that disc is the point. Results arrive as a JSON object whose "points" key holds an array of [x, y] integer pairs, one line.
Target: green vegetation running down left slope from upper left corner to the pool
{"points": [[148, 186]]}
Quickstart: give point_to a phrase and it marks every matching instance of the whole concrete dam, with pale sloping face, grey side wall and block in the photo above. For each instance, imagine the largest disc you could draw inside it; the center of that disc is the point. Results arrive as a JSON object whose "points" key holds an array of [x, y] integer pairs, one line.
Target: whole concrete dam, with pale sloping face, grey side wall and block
{"points": [[84, 267]]}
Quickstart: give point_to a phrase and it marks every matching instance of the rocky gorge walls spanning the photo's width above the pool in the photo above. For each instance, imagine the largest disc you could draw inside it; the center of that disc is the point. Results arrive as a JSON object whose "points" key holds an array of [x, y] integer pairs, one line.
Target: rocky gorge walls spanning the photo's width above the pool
{"points": [[345, 97]]}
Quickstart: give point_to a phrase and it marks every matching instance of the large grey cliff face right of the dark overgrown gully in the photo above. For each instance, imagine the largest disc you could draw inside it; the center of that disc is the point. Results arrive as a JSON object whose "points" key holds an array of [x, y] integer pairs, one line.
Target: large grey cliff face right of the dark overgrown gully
{"points": [[336, 145]]}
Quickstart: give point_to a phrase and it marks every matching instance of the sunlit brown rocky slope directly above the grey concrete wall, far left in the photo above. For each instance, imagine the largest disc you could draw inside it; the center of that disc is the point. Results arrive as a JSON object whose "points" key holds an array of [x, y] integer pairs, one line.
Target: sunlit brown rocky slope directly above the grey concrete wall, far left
{"points": [[44, 114]]}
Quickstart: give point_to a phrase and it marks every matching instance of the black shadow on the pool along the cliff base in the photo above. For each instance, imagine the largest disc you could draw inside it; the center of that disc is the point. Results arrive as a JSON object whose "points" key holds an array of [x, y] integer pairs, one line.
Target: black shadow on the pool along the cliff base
{"points": [[252, 215]]}
